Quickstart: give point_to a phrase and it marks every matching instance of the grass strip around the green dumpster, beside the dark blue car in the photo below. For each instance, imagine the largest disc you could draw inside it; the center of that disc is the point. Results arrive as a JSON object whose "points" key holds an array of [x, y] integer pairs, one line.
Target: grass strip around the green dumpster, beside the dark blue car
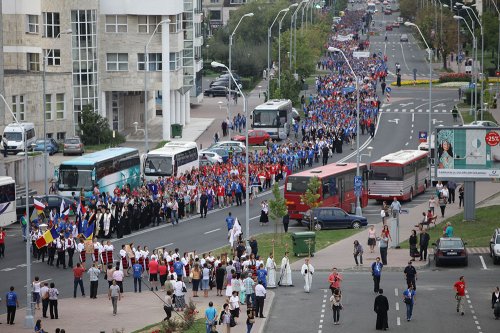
{"points": [[283, 242]]}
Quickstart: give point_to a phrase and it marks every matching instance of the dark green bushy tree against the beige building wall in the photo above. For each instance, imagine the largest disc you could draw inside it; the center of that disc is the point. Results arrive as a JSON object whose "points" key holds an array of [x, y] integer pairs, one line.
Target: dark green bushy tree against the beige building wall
{"points": [[94, 129]]}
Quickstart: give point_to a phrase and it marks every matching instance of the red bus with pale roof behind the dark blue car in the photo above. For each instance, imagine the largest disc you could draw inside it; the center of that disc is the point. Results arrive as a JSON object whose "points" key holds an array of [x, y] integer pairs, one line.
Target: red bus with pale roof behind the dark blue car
{"points": [[337, 188]]}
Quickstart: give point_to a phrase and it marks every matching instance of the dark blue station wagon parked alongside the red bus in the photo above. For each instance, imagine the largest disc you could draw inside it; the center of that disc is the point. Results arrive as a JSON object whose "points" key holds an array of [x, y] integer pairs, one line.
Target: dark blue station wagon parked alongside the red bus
{"points": [[333, 218]]}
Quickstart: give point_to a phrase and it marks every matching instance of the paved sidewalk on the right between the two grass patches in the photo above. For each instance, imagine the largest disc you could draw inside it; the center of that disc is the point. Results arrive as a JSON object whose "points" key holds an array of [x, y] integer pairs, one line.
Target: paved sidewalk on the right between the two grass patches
{"points": [[340, 254]]}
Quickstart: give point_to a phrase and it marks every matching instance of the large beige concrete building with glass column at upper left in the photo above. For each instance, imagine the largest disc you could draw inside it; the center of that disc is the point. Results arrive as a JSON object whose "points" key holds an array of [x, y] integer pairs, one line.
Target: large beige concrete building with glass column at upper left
{"points": [[95, 55]]}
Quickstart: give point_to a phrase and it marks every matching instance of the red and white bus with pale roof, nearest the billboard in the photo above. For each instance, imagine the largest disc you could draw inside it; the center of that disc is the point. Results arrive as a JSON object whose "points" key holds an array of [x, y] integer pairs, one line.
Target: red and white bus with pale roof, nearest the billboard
{"points": [[402, 174]]}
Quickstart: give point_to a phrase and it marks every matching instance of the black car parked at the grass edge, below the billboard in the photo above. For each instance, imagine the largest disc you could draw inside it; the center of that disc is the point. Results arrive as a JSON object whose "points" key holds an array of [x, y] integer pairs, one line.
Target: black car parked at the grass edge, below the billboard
{"points": [[450, 250]]}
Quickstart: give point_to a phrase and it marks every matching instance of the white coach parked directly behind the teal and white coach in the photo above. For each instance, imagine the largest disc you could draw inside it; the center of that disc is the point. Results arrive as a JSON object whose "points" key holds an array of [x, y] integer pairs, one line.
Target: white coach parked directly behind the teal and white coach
{"points": [[173, 159]]}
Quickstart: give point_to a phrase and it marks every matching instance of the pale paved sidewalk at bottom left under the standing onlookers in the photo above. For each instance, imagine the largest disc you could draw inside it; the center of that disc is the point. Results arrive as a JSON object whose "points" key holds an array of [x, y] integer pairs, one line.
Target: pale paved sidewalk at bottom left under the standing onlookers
{"points": [[135, 311]]}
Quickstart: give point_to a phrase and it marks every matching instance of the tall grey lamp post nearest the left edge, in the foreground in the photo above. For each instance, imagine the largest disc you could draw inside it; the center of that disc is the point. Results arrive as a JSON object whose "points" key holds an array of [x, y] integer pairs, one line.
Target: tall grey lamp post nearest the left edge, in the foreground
{"points": [[28, 319]]}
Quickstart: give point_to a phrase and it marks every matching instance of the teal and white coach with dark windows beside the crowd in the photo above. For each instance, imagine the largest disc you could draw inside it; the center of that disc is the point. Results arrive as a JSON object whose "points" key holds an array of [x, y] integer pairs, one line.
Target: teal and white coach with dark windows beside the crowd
{"points": [[105, 169]]}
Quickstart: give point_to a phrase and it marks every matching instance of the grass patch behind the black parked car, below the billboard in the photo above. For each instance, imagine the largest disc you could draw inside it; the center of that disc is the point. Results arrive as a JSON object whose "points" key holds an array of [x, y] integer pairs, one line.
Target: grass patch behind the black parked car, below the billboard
{"points": [[475, 234]]}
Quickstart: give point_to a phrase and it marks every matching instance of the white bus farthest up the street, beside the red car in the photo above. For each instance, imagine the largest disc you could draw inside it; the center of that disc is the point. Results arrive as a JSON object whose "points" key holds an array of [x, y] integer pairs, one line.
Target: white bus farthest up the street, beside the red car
{"points": [[274, 117]]}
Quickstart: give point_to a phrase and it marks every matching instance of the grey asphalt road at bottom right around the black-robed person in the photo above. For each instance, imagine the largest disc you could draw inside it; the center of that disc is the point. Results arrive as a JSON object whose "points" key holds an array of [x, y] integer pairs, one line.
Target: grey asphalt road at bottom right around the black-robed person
{"points": [[434, 310]]}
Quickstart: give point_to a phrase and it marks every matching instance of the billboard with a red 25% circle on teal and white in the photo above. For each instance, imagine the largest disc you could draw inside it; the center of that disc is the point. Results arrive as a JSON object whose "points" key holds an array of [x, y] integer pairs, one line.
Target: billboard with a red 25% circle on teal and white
{"points": [[468, 153]]}
